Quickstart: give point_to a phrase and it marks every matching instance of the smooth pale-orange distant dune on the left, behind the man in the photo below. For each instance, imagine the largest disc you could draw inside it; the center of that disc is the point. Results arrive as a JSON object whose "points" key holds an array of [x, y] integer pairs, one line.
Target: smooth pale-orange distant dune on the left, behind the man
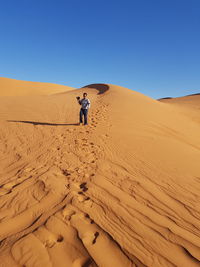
{"points": [[11, 87]]}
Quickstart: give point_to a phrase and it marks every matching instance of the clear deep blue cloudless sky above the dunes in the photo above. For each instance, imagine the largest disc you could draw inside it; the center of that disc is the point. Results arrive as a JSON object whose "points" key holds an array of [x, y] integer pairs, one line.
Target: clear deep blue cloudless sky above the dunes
{"points": [[151, 46]]}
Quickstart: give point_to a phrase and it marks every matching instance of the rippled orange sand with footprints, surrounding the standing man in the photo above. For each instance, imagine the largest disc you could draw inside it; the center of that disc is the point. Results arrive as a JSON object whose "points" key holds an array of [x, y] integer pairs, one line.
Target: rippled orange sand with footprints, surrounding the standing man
{"points": [[122, 191]]}
